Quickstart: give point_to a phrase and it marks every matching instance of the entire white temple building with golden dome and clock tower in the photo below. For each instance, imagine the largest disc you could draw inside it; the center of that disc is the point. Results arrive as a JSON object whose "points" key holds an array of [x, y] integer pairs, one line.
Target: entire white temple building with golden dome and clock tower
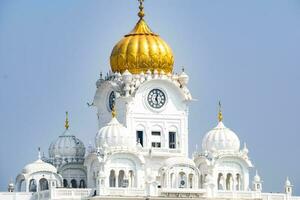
{"points": [[141, 147]]}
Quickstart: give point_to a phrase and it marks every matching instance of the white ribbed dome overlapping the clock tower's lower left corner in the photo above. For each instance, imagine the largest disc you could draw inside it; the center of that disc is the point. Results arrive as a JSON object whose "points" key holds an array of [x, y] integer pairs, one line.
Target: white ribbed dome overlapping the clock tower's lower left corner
{"points": [[114, 134]]}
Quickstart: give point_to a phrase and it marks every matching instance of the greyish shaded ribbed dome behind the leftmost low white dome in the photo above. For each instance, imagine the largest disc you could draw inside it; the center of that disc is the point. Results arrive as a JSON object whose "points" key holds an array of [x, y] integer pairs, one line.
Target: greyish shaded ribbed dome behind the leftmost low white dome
{"points": [[67, 146]]}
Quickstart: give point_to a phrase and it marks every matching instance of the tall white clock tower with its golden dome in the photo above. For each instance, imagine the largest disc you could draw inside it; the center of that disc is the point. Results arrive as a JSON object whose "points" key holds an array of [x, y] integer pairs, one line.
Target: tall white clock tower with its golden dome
{"points": [[150, 99]]}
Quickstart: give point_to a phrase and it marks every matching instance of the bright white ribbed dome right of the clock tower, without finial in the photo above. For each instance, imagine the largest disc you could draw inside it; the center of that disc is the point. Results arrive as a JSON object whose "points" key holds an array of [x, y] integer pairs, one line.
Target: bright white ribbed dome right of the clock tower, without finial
{"points": [[220, 139]]}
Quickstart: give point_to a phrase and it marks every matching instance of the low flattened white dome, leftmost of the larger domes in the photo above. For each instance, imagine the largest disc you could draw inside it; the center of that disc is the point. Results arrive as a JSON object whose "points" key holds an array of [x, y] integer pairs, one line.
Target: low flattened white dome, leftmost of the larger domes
{"points": [[38, 166]]}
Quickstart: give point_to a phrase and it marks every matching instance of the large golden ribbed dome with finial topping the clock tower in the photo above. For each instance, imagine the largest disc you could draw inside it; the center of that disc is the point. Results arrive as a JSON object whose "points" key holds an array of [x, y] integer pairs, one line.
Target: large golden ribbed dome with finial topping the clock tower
{"points": [[141, 50]]}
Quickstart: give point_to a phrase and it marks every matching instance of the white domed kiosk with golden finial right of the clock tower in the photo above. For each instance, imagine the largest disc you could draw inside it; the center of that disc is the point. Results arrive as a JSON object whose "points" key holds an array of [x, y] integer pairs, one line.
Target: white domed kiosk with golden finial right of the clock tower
{"points": [[221, 151]]}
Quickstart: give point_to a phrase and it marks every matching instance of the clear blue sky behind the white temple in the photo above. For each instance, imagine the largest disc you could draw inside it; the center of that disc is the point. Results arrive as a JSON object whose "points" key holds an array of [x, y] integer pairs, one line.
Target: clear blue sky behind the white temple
{"points": [[244, 53]]}
